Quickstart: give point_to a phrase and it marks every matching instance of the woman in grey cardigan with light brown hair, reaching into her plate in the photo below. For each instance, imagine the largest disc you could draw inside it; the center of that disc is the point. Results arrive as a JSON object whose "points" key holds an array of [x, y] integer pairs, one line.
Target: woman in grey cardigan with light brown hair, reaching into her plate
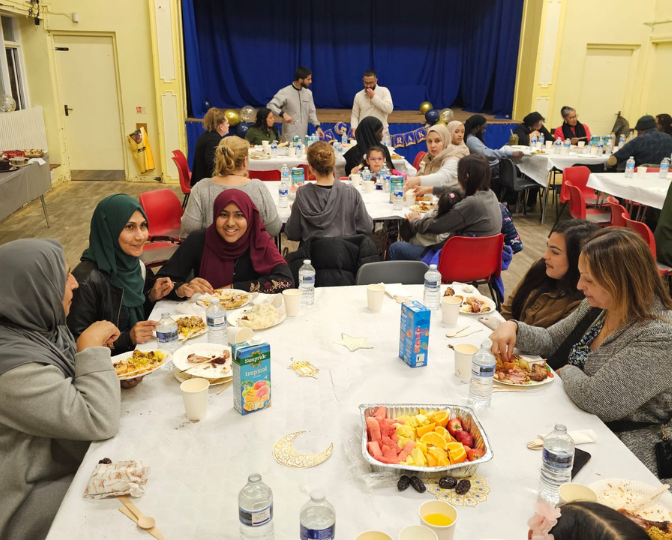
{"points": [[614, 353]]}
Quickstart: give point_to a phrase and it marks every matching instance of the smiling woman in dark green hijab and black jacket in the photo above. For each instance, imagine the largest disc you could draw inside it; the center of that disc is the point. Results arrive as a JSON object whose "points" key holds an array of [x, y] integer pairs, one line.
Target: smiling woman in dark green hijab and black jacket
{"points": [[113, 284]]}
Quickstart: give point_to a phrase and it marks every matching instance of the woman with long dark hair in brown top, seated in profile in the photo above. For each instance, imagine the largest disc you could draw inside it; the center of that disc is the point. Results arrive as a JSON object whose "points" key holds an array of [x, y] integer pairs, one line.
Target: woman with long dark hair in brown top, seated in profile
{"points": [[548, 291]]}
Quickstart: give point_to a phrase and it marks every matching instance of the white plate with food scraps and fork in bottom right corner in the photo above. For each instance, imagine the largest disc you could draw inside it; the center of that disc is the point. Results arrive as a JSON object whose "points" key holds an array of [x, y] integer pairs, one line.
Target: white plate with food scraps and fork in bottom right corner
{"points": [[617, 492]]}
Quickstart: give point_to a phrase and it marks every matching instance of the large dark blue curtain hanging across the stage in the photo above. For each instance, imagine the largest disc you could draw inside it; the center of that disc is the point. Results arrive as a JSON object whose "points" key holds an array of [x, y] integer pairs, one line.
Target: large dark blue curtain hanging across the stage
{"points": [[240, 54]]}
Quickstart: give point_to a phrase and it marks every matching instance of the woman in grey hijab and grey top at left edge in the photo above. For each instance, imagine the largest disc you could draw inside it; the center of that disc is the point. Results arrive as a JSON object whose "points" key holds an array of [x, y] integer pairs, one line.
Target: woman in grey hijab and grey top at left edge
{"points": [[56, 395]]}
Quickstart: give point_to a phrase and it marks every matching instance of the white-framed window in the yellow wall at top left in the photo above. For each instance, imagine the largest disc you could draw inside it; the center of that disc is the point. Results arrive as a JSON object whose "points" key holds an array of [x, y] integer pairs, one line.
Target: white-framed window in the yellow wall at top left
{"points": [[12, 79]]}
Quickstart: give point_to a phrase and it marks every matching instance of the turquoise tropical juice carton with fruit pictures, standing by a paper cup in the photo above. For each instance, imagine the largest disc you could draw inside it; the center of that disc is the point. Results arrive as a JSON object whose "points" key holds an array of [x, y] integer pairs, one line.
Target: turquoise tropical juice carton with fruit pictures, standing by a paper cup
{"points": [[251, 376]]}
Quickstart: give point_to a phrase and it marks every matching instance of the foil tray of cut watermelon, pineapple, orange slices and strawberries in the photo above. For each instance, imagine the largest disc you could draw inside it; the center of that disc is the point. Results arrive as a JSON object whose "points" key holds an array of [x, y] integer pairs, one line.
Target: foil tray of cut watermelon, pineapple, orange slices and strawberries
{"points": [[425, 439]]}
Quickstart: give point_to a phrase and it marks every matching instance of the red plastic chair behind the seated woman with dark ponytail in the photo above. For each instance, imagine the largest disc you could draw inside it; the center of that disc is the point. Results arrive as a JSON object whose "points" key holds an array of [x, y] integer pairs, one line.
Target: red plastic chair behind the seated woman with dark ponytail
{"points": [[475, 260]]}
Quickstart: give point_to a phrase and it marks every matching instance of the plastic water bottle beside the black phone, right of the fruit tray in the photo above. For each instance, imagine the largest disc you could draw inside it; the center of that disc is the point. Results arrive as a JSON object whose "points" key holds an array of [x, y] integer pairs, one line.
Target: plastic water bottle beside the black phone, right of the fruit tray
{"points": [[557, 459]]}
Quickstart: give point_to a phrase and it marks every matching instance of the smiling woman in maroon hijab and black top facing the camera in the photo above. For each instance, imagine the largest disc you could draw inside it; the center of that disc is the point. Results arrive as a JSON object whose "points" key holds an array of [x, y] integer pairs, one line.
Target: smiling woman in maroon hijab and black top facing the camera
{"points": [[235, 252]]}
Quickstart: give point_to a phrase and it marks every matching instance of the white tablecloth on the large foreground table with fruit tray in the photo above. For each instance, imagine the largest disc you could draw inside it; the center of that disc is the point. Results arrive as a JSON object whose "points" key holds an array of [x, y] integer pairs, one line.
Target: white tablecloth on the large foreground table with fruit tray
{"points": [[197, 469]]}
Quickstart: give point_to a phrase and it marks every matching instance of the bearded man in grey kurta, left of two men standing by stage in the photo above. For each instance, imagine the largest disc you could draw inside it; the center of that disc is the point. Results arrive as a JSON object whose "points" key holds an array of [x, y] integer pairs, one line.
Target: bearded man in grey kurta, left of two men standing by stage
{"points": [[295, 105]]}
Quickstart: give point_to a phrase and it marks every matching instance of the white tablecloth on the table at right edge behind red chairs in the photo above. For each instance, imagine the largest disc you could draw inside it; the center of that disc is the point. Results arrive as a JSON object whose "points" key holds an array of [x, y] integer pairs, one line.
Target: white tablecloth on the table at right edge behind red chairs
{"points": [[650, 190]]}
